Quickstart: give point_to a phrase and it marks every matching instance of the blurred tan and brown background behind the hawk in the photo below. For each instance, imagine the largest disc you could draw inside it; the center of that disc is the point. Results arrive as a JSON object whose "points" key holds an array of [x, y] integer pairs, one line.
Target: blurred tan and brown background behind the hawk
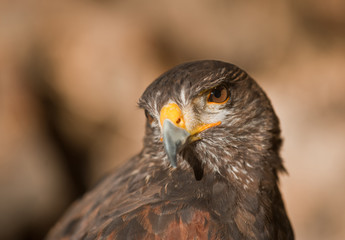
{"points": [[71, 73]]}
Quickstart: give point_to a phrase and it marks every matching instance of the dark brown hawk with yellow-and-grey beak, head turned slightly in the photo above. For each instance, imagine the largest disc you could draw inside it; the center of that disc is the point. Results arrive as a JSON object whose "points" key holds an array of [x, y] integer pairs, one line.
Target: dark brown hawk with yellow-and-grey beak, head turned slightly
{"points": [[208, 168]]}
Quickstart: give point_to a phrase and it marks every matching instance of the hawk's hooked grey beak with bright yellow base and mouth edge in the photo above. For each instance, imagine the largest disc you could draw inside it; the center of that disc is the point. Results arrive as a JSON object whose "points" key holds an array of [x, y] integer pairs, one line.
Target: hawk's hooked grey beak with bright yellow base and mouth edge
{"points": [[175, 133]]}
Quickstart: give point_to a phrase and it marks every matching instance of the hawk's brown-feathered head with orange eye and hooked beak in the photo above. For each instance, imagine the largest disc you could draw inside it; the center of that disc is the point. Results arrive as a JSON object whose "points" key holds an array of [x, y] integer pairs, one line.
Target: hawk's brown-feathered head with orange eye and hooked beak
{"points": [[210, 115]]}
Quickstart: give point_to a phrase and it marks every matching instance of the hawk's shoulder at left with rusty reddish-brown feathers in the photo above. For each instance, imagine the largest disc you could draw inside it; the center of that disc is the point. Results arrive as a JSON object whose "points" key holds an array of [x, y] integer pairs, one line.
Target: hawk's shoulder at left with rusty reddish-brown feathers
{"points": [[136, 203]]}
